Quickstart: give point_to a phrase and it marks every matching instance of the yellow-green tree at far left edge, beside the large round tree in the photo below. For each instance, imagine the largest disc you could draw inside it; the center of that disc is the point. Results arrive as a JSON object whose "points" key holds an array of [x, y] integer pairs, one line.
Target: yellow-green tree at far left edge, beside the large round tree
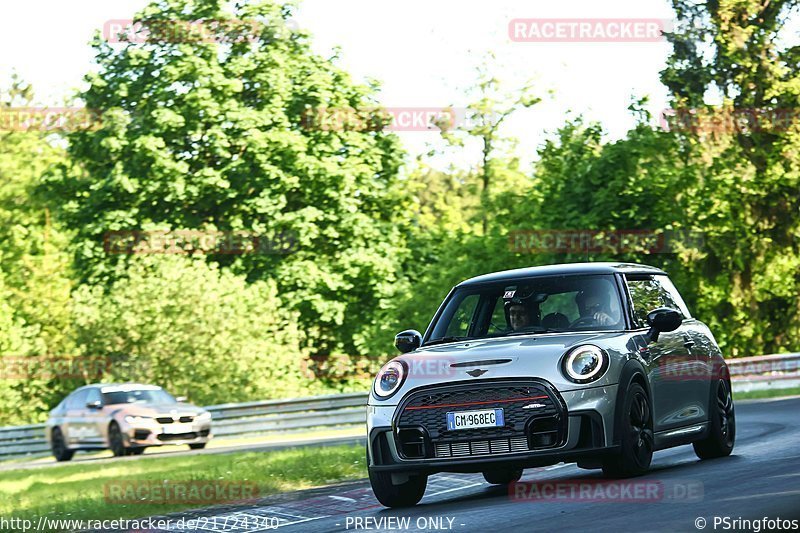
{"points": [[35, 280]]}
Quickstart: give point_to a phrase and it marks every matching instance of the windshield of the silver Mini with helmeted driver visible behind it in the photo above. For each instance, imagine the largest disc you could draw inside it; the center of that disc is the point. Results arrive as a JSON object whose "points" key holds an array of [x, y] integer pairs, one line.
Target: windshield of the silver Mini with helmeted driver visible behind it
{"points": [[533, 305]]}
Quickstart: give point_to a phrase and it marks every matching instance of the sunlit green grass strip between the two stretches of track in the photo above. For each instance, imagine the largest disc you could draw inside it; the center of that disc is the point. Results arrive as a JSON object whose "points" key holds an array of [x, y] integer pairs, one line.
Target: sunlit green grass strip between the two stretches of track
{"points": [[76, 491]]}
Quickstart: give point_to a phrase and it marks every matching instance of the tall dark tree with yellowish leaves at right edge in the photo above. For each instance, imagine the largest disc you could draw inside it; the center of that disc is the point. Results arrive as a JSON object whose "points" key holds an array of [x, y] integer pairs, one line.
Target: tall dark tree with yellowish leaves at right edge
{"points": [[744, 155]]}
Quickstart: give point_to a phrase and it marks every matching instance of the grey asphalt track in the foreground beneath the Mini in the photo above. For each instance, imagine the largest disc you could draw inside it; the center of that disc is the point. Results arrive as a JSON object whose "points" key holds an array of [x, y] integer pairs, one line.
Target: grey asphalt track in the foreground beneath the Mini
{"points": [[681, 493]]}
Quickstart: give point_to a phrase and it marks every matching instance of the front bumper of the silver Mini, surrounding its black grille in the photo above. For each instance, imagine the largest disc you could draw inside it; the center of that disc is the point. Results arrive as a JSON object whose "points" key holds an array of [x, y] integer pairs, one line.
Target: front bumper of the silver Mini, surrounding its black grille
{"points": [[583, 432]]}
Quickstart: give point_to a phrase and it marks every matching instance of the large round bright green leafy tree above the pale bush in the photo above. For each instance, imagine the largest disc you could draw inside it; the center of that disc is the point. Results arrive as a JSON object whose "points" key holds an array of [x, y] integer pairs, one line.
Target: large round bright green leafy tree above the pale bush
{"points": [[214, 134]]}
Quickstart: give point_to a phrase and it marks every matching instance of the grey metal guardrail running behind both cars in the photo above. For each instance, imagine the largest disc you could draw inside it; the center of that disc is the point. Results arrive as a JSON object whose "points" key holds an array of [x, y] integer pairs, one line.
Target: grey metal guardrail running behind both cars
{"points": [[778, 371]]}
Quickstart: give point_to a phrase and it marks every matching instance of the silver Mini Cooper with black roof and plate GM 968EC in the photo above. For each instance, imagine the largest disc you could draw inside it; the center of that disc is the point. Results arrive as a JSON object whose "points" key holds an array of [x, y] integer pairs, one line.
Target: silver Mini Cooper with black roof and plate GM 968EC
{"points": [[599, 364]]}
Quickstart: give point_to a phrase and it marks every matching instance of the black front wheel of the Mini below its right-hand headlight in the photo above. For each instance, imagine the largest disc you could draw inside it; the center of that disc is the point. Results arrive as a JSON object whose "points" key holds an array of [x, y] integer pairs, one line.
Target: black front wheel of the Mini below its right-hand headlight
{"points": [[637, 439]]}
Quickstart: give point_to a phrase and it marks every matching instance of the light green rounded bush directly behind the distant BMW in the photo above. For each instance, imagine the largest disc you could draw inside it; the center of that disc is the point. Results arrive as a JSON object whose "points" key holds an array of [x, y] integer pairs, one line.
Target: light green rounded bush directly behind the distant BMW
{"points": [[197, 330]]}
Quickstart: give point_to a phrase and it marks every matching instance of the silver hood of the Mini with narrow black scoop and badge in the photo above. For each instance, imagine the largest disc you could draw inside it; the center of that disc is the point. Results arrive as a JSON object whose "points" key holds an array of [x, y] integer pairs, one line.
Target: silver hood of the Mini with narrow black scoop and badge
{"points": [[528, 356]]}
